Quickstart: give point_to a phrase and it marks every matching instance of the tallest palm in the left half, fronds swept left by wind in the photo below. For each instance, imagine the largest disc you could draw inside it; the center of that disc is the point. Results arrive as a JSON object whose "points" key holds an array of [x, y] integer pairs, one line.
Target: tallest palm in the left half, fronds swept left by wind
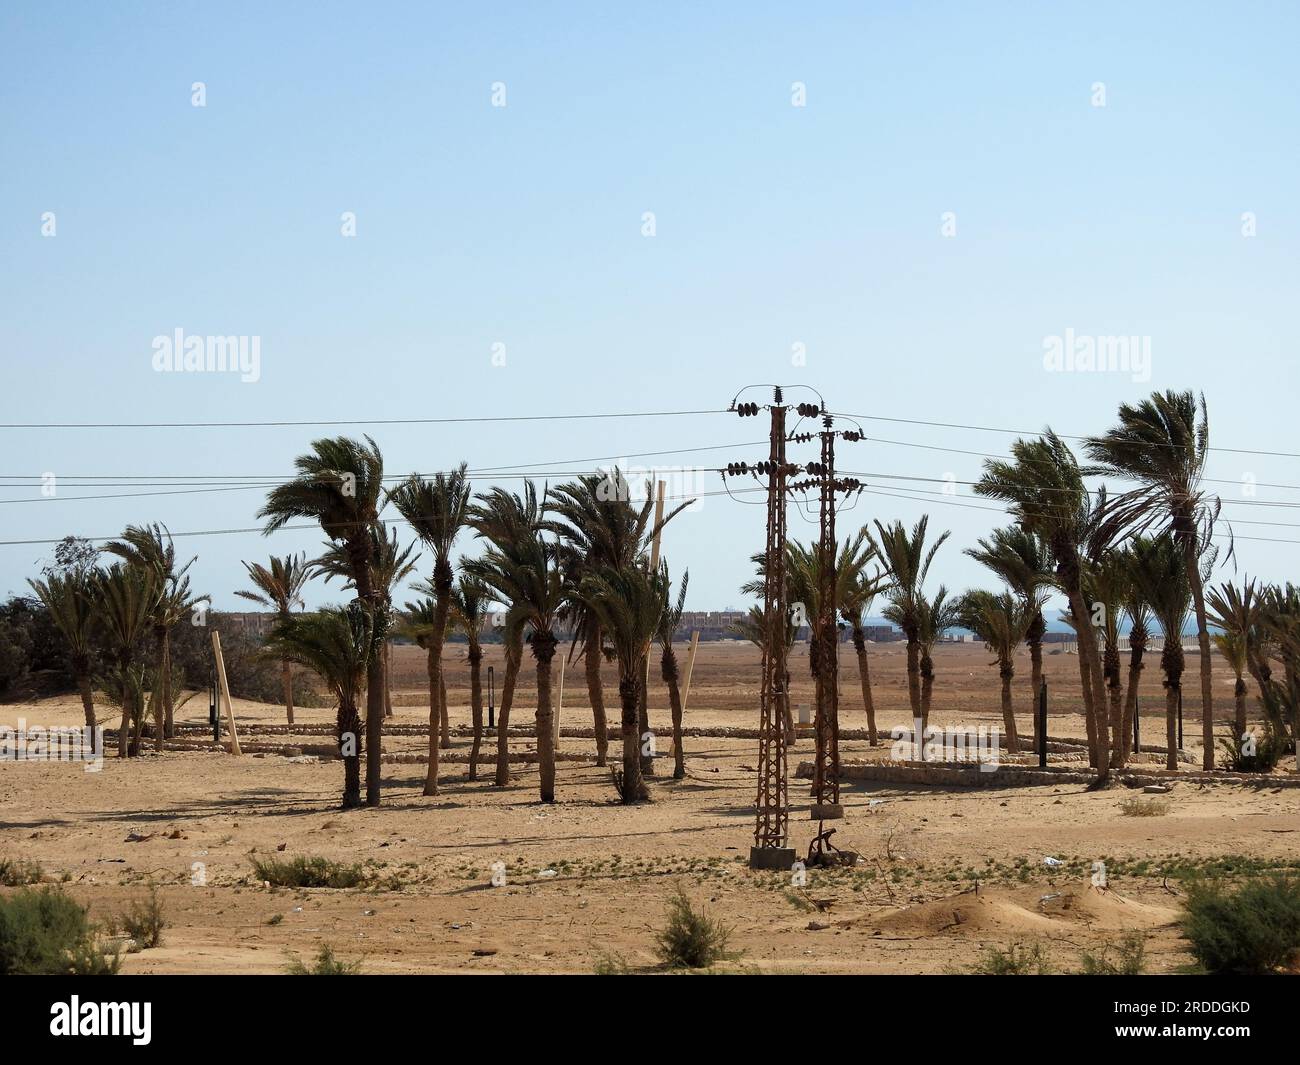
{"points": [[340, 484]]}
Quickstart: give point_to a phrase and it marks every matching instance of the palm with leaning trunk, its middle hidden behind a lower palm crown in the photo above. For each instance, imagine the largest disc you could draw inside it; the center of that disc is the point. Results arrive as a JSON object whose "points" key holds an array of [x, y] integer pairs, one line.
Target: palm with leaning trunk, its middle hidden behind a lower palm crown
{"points": [[504, 519]]}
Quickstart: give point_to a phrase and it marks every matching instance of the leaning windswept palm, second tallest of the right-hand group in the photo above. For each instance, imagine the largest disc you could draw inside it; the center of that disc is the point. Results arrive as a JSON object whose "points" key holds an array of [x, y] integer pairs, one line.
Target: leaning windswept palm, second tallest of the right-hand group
{"points": [[1045, 487]]}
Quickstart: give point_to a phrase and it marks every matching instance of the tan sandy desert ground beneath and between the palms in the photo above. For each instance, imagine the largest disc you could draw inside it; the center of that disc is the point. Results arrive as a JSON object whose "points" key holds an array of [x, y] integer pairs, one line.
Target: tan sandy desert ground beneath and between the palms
{"points": [[944, 874]]}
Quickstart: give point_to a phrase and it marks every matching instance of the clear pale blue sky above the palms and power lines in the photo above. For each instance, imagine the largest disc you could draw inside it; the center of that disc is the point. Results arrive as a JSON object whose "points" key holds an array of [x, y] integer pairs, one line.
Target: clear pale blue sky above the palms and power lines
{"points": [[778, 230]]}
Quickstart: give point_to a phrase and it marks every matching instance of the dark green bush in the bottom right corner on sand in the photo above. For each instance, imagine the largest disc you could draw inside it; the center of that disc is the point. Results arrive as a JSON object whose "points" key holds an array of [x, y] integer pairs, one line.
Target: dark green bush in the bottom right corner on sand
{"points": [[1253, 929]]}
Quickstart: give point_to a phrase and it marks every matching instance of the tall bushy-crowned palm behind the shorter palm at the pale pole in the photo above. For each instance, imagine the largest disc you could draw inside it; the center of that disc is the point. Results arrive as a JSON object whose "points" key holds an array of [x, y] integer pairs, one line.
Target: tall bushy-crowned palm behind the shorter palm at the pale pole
{"points": [[597, 526]]}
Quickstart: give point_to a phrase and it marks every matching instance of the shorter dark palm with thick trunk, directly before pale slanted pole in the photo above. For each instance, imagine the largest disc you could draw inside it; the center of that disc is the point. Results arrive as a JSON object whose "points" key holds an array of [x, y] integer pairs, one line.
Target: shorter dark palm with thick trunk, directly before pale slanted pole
{"points": [[630, 604]]}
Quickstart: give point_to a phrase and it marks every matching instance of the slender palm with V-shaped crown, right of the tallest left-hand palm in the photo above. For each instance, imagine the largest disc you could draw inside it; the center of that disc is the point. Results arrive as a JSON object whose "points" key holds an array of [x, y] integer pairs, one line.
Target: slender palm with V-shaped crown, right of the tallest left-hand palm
{"points": [[437, 512]]}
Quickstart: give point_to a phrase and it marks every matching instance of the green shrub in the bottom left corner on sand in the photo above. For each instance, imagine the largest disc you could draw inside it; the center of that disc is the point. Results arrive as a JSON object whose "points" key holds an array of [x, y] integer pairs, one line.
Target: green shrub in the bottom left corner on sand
{"points": [[46, 933]]}
